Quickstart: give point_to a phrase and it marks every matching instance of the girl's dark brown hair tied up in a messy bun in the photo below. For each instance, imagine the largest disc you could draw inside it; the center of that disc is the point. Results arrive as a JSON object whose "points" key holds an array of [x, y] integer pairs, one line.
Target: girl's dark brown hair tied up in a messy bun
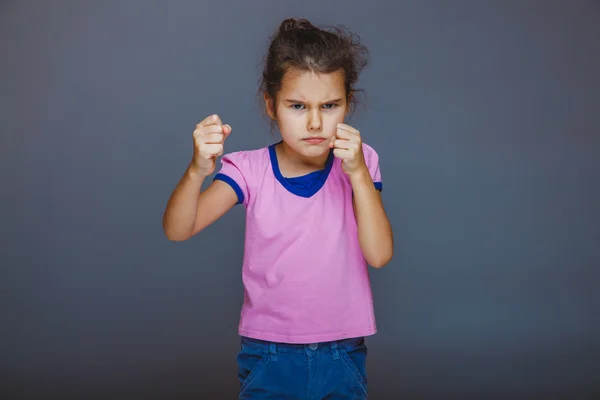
{"points": [[300, 45]]}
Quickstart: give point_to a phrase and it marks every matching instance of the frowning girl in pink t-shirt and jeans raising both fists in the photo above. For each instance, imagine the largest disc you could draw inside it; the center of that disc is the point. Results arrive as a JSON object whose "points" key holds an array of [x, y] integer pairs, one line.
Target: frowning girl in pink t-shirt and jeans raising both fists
{"points": [[314, 221]]}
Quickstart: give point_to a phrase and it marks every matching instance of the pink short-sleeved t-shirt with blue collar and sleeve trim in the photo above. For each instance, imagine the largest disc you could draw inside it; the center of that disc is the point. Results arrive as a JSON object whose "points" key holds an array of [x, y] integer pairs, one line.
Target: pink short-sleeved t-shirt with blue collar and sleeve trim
{"points": [[305, 277]]}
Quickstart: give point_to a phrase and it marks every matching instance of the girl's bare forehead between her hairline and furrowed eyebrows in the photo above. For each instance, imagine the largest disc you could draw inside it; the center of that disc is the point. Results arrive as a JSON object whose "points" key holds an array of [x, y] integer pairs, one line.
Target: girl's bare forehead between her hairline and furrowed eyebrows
{"points": [[311, 86]]}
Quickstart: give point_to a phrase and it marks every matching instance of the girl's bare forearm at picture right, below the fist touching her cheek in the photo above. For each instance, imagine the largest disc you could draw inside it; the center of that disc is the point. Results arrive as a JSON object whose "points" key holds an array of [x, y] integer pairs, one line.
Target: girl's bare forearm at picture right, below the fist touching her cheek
{"points": [[374, 228]]}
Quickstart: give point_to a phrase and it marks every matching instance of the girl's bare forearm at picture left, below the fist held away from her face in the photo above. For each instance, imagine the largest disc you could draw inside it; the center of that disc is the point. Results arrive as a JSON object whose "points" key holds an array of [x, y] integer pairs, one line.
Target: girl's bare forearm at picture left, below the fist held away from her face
{"points": [[182, 208]]}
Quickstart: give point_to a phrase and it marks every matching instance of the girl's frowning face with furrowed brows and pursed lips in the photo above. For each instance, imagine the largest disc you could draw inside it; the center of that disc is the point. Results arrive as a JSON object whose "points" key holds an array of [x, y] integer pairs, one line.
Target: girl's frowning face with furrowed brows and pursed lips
{"points": [[309, 107]]}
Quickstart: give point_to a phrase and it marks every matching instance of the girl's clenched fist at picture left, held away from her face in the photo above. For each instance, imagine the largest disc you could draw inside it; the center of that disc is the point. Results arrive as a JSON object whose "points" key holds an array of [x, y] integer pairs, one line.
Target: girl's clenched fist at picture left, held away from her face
{"points": [[208, 143]]}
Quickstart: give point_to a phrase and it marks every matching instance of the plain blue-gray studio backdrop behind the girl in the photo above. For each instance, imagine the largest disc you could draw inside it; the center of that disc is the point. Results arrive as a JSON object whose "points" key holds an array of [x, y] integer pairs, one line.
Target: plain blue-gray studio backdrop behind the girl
{"points": [[484, 113]]}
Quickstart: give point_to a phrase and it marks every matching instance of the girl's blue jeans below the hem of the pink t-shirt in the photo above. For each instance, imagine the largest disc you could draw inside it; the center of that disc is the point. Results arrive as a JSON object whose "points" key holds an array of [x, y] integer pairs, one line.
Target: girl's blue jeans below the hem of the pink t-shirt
{"points": [[329, 370]]}
